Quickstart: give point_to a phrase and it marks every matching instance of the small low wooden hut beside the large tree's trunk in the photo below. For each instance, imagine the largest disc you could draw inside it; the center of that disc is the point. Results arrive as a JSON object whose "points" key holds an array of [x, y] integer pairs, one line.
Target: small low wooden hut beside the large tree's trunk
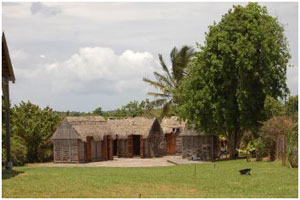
{"points": [[199, 146]]}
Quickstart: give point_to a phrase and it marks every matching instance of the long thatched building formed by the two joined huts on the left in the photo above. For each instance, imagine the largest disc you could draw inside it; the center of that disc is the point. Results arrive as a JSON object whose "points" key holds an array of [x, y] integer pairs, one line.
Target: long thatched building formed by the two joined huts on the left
{"points": [[84, 139]]}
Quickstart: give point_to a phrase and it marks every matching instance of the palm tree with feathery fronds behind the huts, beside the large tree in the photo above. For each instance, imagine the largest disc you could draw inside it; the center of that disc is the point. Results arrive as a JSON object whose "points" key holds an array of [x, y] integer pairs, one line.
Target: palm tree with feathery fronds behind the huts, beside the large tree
{"points": [[168, 82]]}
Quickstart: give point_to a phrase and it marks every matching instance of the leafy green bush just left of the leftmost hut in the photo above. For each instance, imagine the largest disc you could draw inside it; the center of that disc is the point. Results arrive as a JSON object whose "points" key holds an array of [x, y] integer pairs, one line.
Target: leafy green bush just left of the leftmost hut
{"points": [[34, 126]]}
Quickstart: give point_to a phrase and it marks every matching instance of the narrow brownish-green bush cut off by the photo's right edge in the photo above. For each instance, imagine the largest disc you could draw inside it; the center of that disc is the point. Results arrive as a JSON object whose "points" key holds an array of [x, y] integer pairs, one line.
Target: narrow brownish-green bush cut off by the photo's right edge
{"points": [[292, 151]]}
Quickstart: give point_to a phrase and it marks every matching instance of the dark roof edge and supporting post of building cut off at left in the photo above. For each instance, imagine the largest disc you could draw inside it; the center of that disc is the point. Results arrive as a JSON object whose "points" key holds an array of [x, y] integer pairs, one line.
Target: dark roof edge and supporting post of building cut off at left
{"points": [[7, 76]]}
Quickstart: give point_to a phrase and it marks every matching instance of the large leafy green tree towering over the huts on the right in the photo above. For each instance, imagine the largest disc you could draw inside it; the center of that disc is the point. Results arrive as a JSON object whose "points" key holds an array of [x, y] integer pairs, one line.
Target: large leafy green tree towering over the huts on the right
{"points": [[244, 59]]}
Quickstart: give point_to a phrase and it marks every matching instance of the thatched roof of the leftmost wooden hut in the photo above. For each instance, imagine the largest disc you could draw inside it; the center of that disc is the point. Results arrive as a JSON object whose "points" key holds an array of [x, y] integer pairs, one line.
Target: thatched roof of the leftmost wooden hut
{"points": [[82, 127]]}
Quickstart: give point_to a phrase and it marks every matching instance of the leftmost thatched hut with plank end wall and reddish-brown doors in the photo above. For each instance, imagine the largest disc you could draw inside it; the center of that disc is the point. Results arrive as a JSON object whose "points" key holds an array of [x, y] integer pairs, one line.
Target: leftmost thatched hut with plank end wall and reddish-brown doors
{"points": [[82, 139]]}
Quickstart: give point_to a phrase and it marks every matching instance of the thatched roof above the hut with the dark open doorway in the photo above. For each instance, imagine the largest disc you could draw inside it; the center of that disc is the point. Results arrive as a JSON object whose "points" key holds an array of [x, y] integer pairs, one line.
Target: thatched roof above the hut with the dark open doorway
{"points": [[131, 126]]}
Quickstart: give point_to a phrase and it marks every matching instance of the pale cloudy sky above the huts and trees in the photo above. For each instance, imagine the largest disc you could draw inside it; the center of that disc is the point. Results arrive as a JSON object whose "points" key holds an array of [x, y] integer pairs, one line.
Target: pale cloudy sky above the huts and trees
{"points": [[79, 56]]}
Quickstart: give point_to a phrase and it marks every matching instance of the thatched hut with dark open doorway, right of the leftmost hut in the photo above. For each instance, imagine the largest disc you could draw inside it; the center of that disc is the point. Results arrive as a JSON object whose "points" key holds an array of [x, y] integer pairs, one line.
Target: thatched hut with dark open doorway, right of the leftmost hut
{"points": [[138, 136]]}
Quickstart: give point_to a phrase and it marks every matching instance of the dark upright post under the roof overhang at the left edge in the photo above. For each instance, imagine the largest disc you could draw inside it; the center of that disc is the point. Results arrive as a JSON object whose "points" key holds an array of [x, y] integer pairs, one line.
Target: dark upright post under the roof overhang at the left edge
{"points": [[8, 165]]}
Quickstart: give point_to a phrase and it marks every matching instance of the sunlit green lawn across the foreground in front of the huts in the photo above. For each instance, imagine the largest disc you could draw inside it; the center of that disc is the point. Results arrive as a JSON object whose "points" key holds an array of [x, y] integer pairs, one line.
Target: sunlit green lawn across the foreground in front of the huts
{"points": [[268, 179]]}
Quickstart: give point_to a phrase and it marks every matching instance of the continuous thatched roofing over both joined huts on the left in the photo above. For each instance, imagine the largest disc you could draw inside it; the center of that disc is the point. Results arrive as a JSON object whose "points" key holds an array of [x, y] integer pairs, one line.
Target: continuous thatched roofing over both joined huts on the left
{"points": [[97, 127]]}
